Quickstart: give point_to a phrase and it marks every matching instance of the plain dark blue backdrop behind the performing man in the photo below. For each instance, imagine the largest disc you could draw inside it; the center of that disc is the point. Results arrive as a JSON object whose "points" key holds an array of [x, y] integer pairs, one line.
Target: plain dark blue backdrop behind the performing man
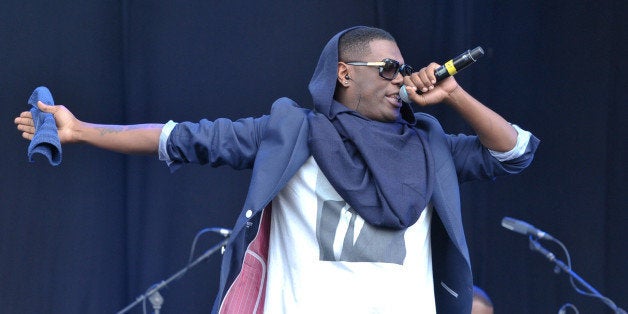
{"points": [[90, 235]]}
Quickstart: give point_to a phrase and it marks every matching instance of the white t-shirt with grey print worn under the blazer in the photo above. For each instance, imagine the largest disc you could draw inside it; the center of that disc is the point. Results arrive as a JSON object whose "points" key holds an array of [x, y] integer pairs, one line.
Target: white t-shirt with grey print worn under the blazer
{"points": [[323, 257]]}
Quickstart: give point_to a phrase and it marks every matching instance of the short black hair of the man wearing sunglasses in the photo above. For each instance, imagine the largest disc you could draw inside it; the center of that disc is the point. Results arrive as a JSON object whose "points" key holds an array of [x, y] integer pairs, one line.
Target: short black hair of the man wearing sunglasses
{"points": [[354, 44]]}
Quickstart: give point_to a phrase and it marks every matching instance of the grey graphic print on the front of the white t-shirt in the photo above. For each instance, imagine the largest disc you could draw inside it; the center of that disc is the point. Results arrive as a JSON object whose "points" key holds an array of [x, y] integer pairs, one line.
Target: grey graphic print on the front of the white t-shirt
{"points": [[343, 235]]}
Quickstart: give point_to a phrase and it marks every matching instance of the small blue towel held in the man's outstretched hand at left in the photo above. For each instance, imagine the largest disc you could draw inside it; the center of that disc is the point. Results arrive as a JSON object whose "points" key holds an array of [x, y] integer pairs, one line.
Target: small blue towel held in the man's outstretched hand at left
{"points": [[46, 139]]}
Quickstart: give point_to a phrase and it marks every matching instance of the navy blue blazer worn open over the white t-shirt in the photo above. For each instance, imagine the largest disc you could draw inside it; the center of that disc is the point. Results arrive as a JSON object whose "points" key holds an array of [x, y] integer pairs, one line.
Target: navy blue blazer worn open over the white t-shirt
{"points": [[275, 147]]}
